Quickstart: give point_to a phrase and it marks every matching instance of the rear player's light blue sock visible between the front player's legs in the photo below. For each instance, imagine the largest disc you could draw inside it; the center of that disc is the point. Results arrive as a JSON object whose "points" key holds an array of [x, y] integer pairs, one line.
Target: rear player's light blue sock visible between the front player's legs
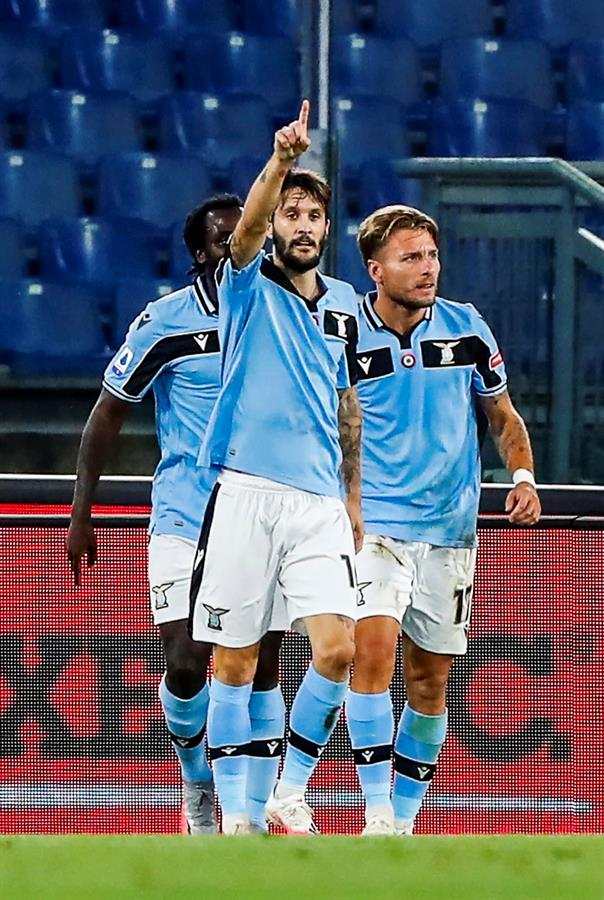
{"points": [[267, 715]]}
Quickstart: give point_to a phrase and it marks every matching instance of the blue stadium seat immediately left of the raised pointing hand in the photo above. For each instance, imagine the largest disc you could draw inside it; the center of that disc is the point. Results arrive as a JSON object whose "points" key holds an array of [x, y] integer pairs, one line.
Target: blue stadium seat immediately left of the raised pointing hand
{"points": [[220, 128]]}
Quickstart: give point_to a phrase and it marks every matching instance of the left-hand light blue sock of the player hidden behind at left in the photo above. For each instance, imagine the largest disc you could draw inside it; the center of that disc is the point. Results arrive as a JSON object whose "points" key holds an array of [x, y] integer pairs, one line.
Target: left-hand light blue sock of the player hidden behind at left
{"points": [[186, 723]]}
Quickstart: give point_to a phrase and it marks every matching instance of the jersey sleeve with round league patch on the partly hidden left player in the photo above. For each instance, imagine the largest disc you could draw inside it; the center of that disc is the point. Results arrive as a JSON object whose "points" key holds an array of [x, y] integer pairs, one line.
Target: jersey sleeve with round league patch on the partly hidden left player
{"points": [[132, 370]]}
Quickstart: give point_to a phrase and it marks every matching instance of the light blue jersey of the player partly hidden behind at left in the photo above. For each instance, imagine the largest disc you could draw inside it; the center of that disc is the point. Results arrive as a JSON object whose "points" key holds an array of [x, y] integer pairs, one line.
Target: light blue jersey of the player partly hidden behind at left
{"points": [[173, 347]]}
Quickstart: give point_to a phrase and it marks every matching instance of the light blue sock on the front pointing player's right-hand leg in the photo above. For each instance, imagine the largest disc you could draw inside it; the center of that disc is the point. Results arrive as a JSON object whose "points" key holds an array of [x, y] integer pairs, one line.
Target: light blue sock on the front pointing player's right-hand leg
{"points": [[314, 714]]}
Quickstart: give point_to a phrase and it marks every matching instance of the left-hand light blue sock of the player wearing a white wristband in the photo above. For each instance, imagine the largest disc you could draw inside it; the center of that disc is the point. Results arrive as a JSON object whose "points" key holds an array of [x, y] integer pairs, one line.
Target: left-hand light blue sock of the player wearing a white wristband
{"points": [[371, 726]]}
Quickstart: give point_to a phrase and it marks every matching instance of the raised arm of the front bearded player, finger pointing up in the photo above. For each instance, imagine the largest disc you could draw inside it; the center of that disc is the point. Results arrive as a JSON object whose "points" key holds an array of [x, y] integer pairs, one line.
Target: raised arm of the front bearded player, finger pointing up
{"points": [[250, 234]]}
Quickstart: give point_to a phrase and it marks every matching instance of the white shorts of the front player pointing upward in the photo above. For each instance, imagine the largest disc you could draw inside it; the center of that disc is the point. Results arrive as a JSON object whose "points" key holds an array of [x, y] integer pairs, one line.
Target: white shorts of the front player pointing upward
{"points": [[258, 536]]}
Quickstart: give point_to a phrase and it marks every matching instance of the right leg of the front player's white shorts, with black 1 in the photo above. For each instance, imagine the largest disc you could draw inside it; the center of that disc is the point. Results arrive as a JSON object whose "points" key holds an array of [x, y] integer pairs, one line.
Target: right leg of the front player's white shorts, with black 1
{"points": [[317, 573]]}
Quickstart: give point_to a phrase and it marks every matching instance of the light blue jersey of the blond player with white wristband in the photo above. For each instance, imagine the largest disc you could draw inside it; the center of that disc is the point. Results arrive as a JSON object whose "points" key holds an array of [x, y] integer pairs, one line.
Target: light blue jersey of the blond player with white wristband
{"points": [[421, 454]]}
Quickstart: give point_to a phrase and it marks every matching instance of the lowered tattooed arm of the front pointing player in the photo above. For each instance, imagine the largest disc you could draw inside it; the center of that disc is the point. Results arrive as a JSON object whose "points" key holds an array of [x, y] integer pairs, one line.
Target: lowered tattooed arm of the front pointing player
{"points": [[350, 421]]}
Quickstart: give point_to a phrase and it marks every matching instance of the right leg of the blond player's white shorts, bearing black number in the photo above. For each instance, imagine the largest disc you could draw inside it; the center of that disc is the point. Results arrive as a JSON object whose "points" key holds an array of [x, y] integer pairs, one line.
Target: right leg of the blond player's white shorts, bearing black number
{"points": [[438, 617]]}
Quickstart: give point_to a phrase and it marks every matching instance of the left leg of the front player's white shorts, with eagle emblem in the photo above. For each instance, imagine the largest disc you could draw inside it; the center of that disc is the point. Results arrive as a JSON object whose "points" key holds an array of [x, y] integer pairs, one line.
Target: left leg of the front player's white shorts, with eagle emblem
{"points": [[235, 570]]}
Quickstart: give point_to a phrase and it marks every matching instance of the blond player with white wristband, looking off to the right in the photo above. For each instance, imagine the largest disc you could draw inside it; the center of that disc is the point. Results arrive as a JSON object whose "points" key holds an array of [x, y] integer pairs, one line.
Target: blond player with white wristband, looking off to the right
{"points": [[424, 364]]}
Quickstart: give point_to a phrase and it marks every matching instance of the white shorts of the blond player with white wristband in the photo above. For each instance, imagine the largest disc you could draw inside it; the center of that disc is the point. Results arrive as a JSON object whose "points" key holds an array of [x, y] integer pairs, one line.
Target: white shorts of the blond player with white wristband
{"points": [[427, 589]]}
